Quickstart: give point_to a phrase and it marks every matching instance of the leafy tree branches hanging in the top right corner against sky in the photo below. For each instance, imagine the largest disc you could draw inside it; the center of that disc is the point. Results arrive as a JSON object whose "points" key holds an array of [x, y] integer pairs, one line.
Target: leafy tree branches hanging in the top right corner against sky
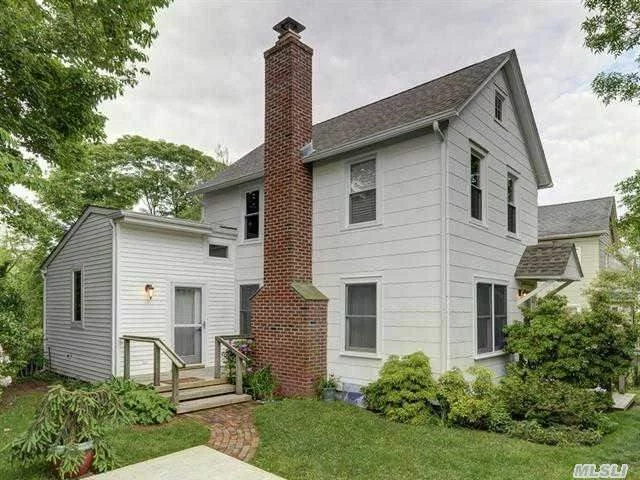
{"points": [[613, 27]]}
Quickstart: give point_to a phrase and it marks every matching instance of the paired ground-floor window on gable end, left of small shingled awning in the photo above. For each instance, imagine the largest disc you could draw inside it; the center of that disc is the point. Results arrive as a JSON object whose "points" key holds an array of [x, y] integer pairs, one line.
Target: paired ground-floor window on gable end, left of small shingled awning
{"points": [[491, 317]]}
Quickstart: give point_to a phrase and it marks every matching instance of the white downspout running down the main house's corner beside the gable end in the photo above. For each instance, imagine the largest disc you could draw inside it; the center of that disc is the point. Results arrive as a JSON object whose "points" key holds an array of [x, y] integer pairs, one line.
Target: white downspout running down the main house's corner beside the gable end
{"points": [[444, 249]]}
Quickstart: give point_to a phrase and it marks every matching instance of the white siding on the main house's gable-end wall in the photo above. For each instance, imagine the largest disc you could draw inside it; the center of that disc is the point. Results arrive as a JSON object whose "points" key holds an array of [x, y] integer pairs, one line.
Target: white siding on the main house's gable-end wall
{"points": [[485, 251]]}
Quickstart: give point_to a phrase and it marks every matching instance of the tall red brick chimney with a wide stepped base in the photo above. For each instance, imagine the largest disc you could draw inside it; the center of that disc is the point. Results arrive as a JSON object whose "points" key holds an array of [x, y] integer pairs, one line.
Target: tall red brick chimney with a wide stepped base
{"points": [[289, 315]]}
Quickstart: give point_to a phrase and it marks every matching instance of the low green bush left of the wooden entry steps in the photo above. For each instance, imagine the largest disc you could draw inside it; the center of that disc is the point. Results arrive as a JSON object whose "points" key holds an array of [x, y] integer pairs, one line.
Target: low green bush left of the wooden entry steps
{"points": [[143, 404]]}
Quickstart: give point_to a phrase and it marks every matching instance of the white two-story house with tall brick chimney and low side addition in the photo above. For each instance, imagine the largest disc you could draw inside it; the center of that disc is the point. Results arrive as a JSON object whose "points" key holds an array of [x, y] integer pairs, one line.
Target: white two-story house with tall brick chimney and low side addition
{"points": [[392, 228]]}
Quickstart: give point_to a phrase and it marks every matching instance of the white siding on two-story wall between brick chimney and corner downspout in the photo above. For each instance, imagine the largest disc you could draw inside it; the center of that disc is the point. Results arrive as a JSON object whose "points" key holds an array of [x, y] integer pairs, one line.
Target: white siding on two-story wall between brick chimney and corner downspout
{"points": [[403, 252]]}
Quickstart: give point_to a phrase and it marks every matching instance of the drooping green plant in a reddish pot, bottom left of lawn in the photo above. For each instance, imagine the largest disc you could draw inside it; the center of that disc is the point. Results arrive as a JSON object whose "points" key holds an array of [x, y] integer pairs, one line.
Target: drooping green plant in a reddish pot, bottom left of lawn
{"points": [[68, 431]]}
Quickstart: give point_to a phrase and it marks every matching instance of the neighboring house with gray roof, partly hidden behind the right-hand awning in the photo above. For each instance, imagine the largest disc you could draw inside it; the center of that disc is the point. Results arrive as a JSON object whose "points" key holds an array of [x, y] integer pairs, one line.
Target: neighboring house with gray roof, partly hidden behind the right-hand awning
{"points": [[590, 225]]}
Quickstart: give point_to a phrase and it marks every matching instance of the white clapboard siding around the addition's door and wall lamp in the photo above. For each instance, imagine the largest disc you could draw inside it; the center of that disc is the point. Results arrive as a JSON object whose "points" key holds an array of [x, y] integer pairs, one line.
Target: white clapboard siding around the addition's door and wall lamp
{"points": [[168, 260]]}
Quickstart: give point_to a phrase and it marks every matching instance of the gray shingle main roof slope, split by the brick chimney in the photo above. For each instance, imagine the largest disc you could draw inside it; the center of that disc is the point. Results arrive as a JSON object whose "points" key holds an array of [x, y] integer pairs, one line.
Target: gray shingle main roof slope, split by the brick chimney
{"points": [[441, 95]]}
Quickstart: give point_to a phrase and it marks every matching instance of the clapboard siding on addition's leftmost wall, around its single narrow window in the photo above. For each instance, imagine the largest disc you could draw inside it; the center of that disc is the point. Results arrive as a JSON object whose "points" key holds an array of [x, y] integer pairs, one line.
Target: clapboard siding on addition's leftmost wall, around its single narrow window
{"points": [[81, 352]]}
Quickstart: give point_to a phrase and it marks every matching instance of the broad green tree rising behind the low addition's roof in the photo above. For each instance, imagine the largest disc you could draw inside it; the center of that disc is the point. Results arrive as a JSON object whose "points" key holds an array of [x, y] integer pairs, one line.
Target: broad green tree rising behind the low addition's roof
{"points": [[132, 171]]}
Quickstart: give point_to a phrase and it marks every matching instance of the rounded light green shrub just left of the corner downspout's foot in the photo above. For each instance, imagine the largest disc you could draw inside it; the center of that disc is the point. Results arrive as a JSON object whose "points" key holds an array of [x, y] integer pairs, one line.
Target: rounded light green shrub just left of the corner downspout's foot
{"points": [[404, 390]]}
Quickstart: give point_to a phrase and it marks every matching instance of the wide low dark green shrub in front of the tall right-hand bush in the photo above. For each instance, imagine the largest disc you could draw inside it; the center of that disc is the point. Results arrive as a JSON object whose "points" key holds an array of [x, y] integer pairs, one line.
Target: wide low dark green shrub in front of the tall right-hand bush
{"points": [[552, 402]]}
